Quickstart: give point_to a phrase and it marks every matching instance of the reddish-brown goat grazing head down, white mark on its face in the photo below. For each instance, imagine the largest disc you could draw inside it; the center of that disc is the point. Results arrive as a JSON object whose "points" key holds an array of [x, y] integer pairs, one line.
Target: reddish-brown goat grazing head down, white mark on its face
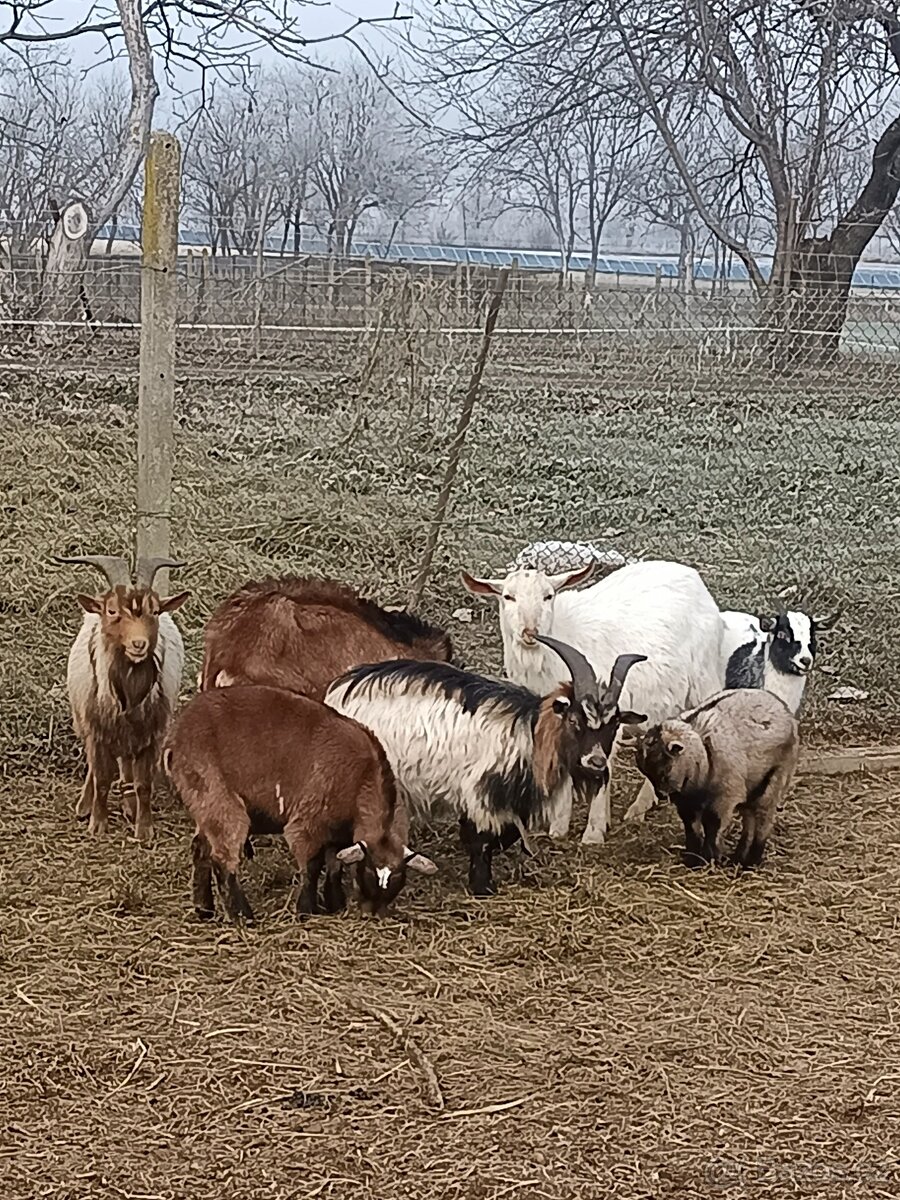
{"points": [[263, 760]]}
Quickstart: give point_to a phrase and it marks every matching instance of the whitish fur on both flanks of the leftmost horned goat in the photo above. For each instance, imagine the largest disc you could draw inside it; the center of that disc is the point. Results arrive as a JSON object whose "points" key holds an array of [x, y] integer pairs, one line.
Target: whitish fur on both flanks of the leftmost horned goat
{"points": [[87, 681]]}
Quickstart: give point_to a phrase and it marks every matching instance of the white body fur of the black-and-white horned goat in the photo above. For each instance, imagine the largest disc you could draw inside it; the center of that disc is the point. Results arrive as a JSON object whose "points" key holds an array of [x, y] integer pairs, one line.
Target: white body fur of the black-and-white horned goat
{"points": [[440, 753]]}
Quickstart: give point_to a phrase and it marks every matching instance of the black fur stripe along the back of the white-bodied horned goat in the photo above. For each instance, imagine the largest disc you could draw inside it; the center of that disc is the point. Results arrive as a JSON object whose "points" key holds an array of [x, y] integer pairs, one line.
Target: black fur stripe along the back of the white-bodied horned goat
{"points": [[471, 692]]}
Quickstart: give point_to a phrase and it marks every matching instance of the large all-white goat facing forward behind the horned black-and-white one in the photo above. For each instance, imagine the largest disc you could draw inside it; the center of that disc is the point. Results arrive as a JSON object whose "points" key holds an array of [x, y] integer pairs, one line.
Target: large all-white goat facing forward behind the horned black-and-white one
{"points": [[662, 610]]}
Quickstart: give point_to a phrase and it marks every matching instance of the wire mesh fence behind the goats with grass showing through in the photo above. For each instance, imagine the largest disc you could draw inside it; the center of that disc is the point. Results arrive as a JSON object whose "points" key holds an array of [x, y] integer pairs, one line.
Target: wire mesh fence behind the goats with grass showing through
{"points": [[315, 410]]}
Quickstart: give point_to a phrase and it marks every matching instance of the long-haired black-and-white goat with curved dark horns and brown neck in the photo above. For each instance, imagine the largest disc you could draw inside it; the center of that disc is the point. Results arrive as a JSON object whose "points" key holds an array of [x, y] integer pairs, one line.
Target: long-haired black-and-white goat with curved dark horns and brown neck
{"points": [[494, 754]]}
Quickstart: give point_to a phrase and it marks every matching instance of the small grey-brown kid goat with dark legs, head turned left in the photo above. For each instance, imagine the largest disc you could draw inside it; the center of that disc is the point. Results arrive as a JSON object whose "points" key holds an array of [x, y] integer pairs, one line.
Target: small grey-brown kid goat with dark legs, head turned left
{"points": [[735, 753]]}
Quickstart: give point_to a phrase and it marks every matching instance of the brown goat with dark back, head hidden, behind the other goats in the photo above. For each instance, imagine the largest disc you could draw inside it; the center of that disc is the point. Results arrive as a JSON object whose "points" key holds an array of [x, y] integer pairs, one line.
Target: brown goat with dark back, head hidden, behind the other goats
{"points": [[301, 634]]}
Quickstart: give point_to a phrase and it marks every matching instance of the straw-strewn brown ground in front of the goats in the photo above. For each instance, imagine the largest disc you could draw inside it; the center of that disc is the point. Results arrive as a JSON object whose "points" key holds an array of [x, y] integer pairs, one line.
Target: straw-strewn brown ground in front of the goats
{"points": [[610, 1024]]}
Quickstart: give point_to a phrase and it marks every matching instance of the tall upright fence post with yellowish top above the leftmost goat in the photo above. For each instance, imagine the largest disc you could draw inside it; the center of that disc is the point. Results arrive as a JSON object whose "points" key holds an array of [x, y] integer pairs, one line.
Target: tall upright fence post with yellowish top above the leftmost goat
{"points": [[157, 391]]}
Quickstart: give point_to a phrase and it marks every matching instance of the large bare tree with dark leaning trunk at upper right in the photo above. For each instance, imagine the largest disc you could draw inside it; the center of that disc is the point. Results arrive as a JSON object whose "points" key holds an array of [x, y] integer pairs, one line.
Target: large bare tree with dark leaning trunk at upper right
{"points": [[796, 85]]}
